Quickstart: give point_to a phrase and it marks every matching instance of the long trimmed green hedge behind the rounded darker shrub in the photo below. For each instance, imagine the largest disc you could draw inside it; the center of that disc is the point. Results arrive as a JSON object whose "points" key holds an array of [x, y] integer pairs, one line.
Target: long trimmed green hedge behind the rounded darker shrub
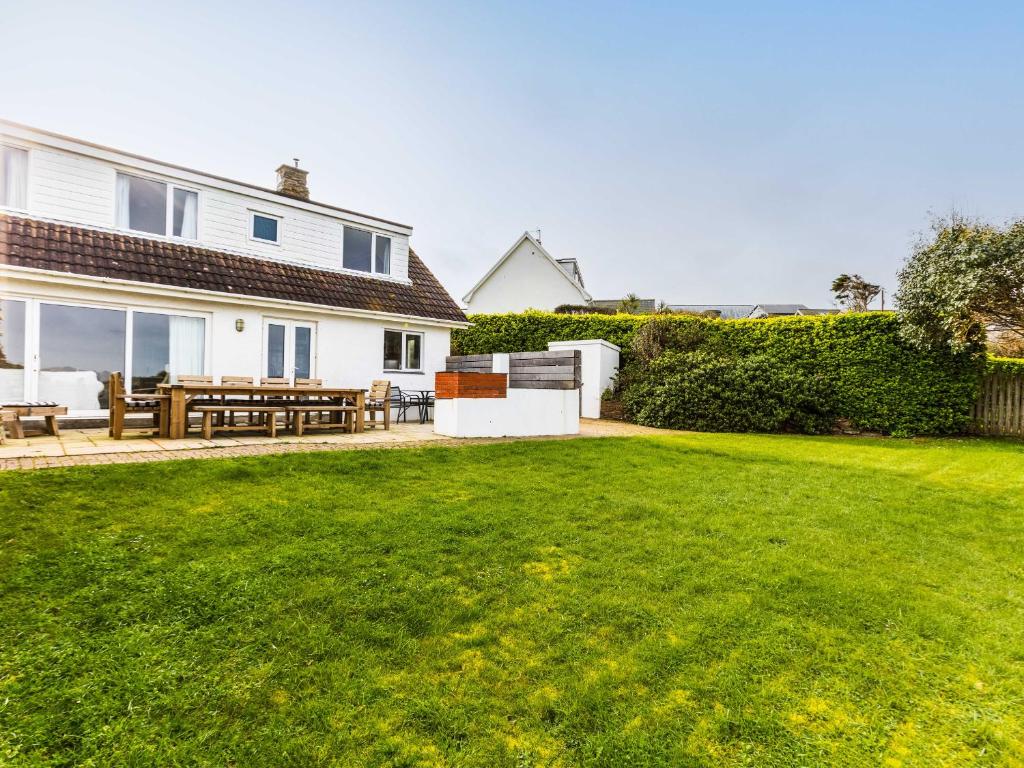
{"points": [[875, 379]]}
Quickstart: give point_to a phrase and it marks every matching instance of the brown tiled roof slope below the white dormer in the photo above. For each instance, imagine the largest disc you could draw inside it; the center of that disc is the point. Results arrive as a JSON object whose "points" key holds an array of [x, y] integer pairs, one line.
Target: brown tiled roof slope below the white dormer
{"points": [[62, 248]]}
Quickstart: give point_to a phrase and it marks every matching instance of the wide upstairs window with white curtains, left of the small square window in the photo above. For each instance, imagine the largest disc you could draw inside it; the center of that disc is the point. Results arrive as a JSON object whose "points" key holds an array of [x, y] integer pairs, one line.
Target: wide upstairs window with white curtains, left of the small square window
{"points": [[157, 207]]}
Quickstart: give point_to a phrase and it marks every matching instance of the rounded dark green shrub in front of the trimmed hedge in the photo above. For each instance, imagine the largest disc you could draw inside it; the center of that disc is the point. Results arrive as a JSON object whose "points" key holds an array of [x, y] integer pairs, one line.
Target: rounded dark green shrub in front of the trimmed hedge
{"points": [[704, 393]]}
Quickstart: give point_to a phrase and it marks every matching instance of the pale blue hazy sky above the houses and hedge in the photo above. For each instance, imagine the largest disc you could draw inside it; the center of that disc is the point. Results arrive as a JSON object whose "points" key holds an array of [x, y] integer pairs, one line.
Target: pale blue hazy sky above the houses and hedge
{"points": [[696, 153]]}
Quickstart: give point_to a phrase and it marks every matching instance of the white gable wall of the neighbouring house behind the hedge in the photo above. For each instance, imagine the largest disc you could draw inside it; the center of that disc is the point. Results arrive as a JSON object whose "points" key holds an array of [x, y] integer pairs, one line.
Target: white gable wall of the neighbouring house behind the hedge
{"points": [[527, 280]]}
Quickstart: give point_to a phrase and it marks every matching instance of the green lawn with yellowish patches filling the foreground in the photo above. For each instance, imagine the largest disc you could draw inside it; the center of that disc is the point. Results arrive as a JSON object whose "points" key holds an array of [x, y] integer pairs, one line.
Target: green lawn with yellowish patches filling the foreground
{"points": [[686, 601]]}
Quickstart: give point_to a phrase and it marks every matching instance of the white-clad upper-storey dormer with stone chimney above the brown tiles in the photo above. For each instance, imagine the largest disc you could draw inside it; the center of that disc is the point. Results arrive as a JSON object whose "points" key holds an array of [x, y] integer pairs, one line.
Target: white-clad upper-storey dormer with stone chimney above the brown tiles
{"points": [[64, 180]]}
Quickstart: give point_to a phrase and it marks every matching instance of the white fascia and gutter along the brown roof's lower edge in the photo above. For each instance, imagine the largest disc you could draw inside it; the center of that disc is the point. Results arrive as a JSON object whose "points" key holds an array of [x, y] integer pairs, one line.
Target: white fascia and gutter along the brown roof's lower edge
{"points": [[156, 289]]}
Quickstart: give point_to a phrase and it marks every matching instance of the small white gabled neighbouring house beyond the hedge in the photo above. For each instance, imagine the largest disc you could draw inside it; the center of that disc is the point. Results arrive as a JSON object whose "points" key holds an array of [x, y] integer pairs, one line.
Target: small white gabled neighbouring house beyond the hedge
{"points": [[528, 278]]}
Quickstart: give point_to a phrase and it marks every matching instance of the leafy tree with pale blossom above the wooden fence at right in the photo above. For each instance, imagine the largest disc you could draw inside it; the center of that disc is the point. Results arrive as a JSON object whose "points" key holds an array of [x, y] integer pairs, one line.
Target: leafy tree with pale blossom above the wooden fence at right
{"points": [[967, 277]]}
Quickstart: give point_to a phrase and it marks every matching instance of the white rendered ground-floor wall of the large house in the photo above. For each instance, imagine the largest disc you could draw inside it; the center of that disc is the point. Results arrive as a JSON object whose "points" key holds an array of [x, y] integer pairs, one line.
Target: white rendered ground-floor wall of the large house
{"points": [[349, 352]]}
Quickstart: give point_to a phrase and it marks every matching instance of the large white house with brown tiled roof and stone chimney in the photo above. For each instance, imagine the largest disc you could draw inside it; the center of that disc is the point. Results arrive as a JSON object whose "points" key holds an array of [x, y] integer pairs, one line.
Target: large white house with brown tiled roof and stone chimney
{"points": [[111, 262]]}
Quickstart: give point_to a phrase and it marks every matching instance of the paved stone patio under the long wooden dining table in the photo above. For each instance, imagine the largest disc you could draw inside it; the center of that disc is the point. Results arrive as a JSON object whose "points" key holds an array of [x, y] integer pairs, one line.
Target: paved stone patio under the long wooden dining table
{"points": [[89, 447]]}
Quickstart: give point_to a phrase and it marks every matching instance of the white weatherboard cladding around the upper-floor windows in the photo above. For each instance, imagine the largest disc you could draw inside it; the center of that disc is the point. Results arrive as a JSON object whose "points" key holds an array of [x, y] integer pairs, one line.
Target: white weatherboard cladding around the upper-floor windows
{"points": [[79, 189]]}
